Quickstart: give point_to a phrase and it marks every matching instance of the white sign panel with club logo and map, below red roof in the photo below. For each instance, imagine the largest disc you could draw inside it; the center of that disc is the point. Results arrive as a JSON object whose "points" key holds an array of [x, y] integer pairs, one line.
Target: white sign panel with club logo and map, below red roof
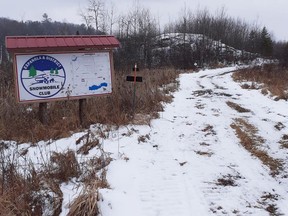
{"points": [[63, 76]]}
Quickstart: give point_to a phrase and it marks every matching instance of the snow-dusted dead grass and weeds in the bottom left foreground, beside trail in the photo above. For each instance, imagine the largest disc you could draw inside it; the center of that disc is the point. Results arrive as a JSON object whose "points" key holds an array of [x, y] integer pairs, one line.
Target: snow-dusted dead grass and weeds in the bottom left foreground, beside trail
{"points": [[33, 188]]}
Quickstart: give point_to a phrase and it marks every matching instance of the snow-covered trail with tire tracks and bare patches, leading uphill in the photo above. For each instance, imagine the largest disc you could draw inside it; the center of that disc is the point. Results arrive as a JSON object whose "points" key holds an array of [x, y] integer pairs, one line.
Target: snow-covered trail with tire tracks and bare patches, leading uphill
{"points": [[190, 162]]}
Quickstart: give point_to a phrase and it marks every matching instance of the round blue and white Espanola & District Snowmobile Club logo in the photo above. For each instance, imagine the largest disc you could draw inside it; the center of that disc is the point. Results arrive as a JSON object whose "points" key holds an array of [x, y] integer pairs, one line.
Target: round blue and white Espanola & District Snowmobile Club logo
{"points": [[43, 76]]}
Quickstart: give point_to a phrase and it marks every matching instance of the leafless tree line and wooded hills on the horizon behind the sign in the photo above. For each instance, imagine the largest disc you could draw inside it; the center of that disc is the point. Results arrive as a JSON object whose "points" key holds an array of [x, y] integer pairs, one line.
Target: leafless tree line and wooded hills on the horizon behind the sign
{"points": [[137, 30]]}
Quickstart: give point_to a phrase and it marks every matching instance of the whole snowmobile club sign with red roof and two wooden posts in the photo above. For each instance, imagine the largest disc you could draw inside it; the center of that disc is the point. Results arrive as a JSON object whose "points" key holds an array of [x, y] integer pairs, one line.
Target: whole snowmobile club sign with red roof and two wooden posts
{"points": [[53, 68]]}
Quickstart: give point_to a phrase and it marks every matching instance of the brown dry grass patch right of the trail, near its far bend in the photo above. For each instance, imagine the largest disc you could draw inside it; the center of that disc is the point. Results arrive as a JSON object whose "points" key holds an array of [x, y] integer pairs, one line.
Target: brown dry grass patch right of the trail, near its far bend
{"points": [[269, 78]]}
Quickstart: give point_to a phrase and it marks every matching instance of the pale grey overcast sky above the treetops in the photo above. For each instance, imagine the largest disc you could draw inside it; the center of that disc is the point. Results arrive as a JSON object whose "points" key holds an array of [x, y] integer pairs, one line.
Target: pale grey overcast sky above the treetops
{"points": [[270, 13]]}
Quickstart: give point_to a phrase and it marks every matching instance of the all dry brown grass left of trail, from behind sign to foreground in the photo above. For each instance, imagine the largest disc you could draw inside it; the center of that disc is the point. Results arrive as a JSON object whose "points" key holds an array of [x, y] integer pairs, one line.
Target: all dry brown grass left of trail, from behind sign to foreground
{"points": [[34, 189]]}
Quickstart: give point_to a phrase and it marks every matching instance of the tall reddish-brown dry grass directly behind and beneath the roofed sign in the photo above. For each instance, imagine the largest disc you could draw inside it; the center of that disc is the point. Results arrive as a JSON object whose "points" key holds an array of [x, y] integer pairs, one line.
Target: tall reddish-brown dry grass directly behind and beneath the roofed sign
{"points": [[20, 122]]}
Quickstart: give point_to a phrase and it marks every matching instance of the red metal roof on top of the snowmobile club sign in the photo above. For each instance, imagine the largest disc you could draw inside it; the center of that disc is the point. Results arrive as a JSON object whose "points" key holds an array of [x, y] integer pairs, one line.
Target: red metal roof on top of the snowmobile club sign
{"points": [[60, 43]]}
